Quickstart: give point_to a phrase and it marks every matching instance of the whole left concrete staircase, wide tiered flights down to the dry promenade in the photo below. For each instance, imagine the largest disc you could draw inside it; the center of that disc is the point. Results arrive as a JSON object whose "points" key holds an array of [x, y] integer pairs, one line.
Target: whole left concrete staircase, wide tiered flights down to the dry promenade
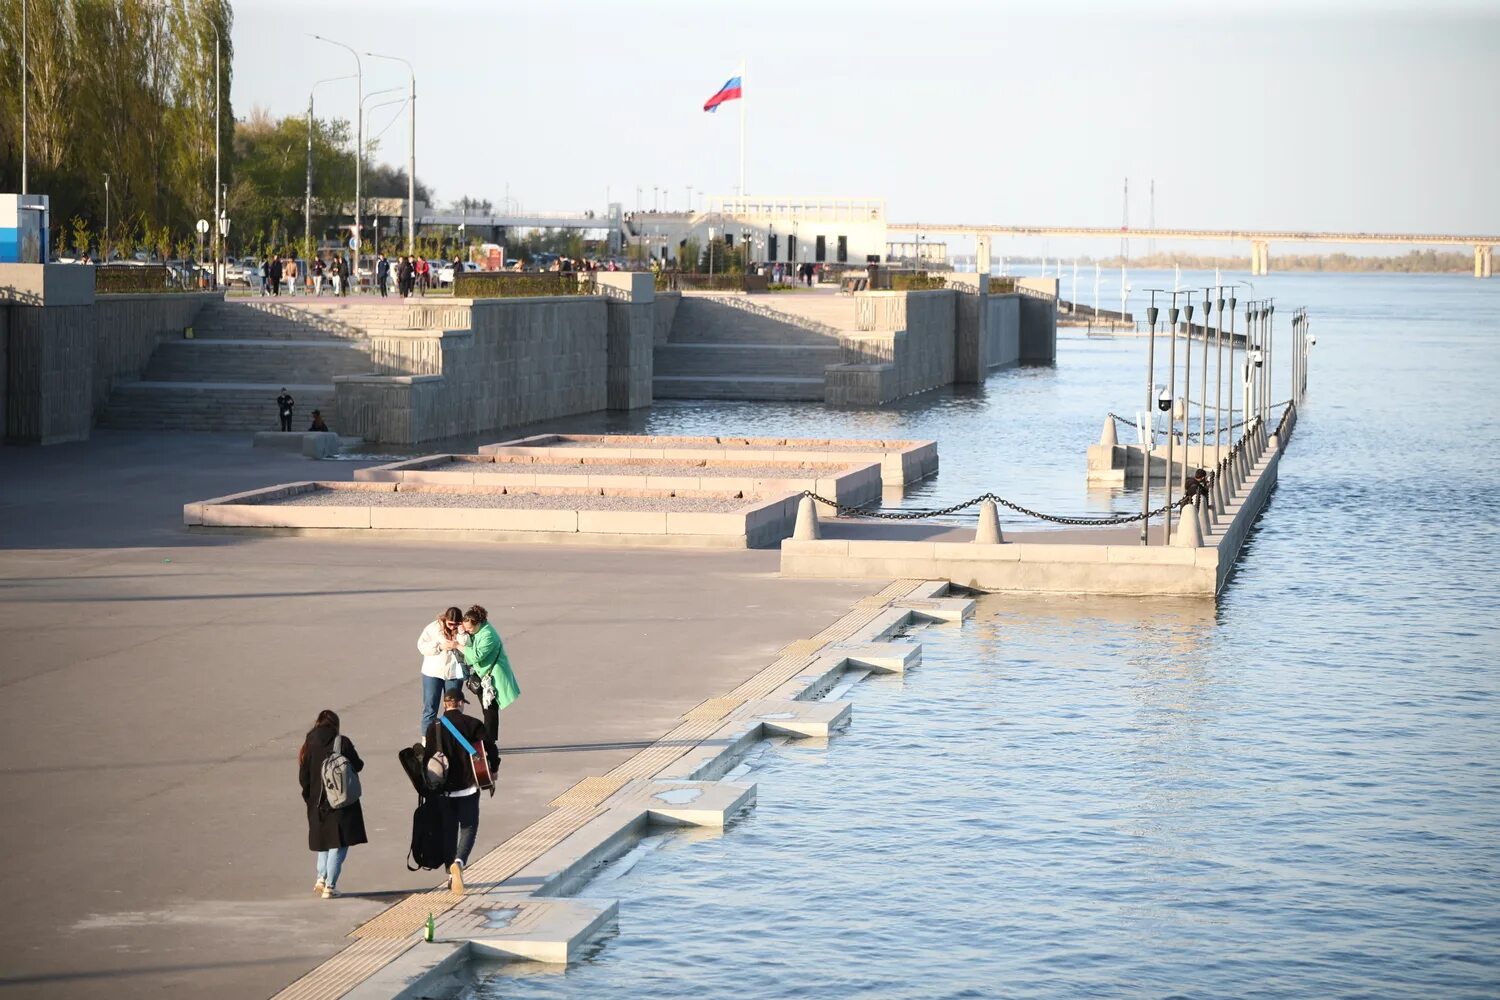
{"points": [[244, 353]]}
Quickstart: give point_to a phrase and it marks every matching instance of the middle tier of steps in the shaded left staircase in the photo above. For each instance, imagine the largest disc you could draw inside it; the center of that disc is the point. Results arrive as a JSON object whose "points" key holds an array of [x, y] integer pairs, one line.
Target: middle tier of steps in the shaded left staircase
{"points": [[256, 361]]}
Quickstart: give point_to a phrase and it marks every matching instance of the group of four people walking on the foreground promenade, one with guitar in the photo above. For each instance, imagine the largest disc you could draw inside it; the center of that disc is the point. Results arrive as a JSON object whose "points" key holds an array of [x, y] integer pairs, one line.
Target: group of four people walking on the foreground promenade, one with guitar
{"points": [[461, 656]]}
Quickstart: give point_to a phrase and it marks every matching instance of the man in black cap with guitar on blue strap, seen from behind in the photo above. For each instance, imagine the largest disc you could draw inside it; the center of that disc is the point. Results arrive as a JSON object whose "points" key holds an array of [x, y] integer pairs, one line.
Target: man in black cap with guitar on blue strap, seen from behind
{"points": [[455, 770]]}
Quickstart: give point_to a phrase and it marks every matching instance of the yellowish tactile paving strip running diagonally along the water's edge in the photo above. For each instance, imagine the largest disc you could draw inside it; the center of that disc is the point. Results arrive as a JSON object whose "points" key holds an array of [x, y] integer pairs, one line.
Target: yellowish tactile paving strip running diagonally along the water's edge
{"points": [[385, 938]]}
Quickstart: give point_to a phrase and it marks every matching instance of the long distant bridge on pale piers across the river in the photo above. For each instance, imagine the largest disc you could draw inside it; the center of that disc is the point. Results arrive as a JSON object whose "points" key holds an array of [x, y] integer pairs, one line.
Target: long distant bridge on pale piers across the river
{"points": [[1259, 239]]}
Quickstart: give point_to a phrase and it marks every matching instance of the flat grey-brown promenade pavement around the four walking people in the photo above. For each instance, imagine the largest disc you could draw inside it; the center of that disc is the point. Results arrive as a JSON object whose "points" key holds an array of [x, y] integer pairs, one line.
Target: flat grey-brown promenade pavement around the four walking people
{"points": [[158, 686]]}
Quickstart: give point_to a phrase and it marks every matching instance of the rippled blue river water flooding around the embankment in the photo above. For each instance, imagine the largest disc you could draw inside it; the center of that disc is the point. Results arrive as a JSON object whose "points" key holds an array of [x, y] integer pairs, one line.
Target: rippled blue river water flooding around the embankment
{"points": [[1289, 794]]}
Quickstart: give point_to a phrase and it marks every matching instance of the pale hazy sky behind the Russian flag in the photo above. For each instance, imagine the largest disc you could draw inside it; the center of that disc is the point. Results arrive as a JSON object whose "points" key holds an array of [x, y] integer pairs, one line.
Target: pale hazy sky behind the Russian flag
{"points": [[1346, 116]]}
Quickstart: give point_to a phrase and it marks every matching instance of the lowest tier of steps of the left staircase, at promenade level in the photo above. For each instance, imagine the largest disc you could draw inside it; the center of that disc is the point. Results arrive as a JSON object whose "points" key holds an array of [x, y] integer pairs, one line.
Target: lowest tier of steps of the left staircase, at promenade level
{"points": [[211, 406]]}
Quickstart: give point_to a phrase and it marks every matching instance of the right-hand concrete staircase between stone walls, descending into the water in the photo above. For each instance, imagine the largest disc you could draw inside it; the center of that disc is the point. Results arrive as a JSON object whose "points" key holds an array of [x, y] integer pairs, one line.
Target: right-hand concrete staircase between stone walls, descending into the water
{"points": [[740, 347]]}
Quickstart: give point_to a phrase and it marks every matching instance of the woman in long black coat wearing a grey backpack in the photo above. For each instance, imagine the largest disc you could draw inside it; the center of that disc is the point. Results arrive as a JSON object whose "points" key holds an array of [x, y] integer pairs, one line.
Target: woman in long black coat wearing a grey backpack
{"points": [[328, 767]]}
